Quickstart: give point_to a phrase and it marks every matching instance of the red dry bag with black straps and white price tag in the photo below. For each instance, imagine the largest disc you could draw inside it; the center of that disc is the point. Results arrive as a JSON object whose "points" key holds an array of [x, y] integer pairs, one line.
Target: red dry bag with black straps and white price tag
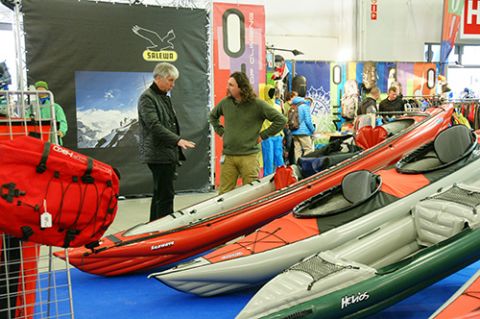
{"points": [[53, 196]]}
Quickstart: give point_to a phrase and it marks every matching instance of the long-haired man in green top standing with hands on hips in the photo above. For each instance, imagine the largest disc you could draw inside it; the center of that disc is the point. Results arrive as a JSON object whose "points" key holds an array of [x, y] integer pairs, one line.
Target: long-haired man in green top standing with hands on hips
{"points": [[243, 115]]}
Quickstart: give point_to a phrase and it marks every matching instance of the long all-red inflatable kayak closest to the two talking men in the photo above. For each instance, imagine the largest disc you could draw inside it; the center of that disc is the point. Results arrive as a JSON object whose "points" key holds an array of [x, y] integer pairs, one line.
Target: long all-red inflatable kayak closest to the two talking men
{"points": [[123, 253]]}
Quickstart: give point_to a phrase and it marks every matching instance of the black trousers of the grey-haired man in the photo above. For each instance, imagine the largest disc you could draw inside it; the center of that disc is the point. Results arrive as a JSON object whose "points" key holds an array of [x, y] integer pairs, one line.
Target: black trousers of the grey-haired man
{"points": [[163, 191]]}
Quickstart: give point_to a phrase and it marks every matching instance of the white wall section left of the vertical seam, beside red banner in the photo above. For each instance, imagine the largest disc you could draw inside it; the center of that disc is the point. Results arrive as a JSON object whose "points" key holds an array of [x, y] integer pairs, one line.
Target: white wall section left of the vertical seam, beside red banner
{"points": [[319, 28]]}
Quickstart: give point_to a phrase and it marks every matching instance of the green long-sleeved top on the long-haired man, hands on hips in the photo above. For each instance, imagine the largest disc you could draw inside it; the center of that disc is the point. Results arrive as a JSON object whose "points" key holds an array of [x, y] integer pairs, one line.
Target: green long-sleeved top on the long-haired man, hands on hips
{"points": [[242, 124]]}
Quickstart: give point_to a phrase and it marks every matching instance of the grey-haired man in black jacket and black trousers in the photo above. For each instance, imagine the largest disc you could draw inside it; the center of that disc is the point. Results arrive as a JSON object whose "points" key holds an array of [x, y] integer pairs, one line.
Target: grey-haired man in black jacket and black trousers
{"points": [[160, 142]]}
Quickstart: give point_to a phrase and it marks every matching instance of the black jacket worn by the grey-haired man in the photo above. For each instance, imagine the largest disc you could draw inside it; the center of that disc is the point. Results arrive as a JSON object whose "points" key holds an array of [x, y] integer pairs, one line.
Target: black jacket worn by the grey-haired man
{"points": [[159, 129]]}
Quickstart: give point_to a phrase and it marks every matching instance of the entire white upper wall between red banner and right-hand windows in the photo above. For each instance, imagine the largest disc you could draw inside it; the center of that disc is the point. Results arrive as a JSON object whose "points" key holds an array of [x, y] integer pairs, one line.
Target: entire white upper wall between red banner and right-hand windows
{"points": [[323, 29]]}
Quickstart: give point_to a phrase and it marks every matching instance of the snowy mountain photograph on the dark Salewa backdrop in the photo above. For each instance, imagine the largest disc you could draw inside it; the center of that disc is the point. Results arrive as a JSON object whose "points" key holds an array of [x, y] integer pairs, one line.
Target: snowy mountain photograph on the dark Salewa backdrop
{"points": [[107, 107]]}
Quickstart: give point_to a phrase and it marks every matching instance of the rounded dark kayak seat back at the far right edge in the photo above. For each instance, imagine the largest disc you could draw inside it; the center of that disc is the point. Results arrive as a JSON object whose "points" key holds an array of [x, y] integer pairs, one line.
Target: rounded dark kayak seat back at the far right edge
{"points": [[452, 143]]}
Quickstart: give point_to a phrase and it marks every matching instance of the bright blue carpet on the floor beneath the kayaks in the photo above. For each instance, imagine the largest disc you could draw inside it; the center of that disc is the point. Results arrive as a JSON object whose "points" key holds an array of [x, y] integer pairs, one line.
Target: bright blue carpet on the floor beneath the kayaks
{"points": [[137, 297]]}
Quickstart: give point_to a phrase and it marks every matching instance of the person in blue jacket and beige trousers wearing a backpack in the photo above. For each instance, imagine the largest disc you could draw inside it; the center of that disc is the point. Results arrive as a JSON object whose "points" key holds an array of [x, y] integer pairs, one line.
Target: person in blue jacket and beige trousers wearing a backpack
{"points": [[302, 135]]}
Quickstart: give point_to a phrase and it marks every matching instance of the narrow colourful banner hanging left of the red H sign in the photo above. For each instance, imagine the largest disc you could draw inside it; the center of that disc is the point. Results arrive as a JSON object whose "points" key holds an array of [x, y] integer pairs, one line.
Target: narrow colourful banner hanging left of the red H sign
{"points": [[452, 11]]}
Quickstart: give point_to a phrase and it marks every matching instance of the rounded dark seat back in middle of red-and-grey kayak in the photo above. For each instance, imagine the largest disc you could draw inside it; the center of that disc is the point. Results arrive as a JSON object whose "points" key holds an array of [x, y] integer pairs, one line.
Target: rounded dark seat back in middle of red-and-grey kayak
{"points": [[359, 185]]}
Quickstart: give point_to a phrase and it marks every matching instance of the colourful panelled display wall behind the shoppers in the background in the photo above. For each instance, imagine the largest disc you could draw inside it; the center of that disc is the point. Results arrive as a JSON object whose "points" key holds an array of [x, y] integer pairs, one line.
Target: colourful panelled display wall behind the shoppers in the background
{"points": [[326, 80]]}
